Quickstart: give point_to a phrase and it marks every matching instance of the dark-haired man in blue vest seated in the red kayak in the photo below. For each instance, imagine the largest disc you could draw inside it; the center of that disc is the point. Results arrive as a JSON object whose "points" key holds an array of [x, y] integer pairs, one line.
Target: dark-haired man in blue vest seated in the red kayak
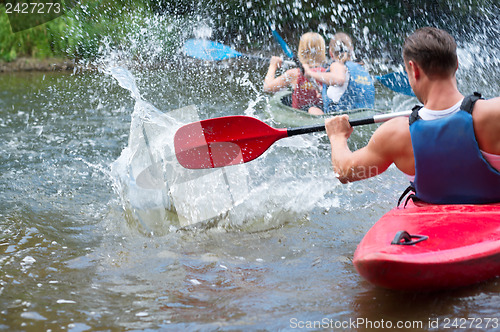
{"points": [[449, 148]]}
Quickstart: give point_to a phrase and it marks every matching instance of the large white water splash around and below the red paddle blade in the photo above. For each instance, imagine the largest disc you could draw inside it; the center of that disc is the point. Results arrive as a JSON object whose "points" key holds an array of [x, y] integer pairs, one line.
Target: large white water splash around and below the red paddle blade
{"points": [[160, 195]]}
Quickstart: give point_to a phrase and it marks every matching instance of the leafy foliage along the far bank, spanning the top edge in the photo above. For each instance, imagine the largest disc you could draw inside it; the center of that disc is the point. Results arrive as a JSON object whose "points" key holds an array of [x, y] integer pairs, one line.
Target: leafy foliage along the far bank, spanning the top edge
{"points": [[378, 26]]}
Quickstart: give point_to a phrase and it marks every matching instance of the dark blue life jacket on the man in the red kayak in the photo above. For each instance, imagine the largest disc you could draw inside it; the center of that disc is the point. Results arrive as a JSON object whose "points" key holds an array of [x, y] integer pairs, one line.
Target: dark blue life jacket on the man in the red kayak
{"points": [[449, 167]]}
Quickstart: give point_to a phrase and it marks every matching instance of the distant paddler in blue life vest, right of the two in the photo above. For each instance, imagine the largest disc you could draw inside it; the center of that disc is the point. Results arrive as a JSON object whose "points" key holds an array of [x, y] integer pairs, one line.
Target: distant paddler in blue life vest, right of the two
{"points": [[346, 84]]}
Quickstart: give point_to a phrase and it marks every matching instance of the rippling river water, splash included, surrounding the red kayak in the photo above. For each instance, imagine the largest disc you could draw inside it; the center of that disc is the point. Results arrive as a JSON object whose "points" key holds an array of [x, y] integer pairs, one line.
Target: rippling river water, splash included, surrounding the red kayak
{"points": [[101, 230]]}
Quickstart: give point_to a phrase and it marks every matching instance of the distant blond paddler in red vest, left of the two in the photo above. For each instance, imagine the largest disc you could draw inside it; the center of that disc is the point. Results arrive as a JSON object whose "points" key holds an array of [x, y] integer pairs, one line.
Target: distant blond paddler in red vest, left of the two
{"points": [[311, 53]]}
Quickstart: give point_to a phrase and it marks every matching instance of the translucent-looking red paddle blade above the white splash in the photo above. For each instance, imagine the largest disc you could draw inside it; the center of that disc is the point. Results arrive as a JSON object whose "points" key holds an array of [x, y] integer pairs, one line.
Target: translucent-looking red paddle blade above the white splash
{"points": [[224, 141]]}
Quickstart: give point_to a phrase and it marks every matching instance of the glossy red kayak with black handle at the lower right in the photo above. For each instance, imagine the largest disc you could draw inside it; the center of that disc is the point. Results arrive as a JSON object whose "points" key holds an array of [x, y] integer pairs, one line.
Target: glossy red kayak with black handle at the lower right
{"points": [[432, 247]]}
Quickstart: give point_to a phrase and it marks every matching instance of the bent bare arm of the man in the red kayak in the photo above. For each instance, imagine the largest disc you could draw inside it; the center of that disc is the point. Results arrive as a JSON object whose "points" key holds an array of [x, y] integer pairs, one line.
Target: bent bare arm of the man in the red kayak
{"points": [[390, 143]]}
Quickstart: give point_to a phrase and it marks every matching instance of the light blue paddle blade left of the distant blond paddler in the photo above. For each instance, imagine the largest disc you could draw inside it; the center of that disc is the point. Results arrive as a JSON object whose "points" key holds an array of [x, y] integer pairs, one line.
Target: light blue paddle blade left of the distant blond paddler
{"points": [[213, 51]]}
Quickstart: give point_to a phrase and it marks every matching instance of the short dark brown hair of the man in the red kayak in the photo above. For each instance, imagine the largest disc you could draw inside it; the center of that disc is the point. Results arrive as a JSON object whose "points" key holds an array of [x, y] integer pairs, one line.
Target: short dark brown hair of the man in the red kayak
{"points": [[433, 49]]}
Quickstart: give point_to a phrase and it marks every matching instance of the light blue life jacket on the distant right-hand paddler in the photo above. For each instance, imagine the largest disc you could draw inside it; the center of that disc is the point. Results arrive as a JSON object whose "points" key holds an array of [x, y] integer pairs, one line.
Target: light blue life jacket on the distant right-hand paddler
{"points": [[360, 91]]}
